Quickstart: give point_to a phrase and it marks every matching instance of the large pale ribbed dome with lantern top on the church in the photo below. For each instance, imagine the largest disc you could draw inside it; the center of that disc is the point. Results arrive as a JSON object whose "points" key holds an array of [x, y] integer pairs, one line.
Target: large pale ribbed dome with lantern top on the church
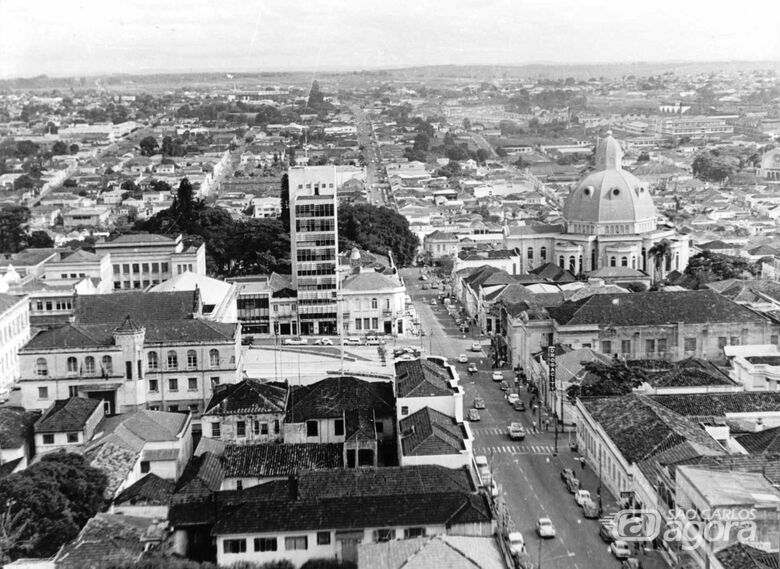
{"points": [[609, 193]]}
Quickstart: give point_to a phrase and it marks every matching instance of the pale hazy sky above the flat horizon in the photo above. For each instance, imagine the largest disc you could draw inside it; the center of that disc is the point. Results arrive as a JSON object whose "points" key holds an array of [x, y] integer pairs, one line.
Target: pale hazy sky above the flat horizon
{"points": [[86, 37]]}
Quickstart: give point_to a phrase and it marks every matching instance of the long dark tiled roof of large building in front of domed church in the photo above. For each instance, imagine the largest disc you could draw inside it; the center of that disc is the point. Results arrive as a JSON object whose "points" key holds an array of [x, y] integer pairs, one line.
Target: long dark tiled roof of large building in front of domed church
{"points": [[653, 309]]}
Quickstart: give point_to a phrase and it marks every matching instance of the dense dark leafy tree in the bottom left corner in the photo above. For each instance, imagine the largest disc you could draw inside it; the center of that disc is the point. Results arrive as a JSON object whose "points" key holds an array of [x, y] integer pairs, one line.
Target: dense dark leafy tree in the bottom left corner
{"points": [[47, 504]]}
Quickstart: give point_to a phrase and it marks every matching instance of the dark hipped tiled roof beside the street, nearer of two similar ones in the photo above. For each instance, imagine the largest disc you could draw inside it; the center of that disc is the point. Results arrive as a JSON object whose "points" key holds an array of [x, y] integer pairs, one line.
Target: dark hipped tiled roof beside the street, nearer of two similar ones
{"points": [[429, 432]]}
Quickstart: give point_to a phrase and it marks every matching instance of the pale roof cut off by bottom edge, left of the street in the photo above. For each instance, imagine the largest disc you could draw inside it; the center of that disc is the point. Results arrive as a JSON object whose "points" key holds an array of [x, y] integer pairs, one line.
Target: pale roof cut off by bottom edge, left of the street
{"points": [[451, 551]]}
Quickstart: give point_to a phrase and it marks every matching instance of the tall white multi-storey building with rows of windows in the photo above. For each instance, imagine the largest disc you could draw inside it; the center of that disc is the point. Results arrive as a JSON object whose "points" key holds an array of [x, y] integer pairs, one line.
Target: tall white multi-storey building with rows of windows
{"points": [[314, 243]]}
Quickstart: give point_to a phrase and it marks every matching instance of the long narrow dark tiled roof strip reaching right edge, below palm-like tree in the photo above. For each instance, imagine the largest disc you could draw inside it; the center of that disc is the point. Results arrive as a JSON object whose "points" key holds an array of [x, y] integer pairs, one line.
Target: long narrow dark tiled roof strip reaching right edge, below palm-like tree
{"points": [[719, 404]]}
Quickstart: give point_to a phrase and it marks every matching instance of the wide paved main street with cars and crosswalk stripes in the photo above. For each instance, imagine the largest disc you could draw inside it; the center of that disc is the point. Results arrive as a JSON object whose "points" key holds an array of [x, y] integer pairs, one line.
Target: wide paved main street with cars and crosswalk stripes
{"points": [[527, 472]]}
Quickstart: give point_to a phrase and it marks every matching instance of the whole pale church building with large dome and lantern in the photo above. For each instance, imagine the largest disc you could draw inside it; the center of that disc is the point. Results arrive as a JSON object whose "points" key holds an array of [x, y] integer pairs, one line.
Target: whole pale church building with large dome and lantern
{"points": [[610, 227]]}
